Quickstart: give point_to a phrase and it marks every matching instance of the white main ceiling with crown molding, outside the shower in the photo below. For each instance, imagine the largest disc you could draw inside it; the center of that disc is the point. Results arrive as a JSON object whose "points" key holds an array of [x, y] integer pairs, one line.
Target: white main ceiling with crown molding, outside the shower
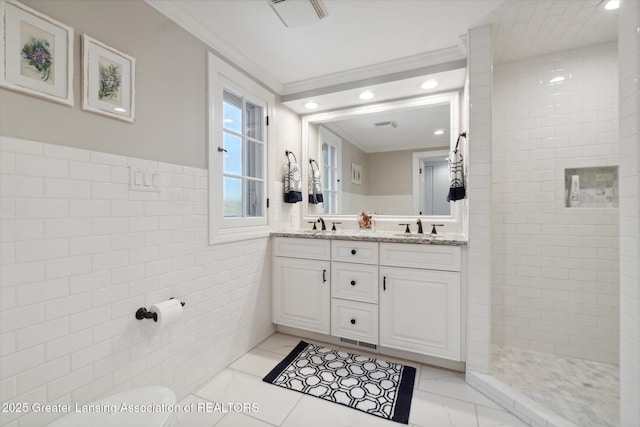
{"points": [[358, 39]]}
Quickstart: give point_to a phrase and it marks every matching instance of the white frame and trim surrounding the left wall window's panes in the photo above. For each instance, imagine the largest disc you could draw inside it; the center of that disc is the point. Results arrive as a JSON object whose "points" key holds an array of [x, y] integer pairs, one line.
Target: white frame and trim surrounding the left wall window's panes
{"points": [[221, 75]]}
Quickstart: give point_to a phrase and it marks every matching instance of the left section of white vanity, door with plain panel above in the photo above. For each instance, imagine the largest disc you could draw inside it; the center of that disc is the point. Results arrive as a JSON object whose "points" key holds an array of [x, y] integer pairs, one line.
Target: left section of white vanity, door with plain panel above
{"points": [[302, 283]]}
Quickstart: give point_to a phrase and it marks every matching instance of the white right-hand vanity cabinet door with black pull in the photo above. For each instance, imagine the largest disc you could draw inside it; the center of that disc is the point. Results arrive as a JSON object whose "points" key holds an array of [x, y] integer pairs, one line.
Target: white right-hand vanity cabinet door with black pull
{"points": [[420, 311]]}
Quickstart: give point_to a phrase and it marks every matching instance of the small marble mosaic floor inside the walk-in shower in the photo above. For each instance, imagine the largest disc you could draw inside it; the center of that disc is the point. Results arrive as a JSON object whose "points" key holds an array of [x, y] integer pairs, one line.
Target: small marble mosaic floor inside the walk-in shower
{"points": [[583, 392]]}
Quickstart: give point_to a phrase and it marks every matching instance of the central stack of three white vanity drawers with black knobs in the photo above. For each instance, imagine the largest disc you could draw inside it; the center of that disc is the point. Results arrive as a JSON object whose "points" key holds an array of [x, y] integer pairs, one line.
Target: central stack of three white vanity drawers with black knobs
{"points": [[354, 290]]}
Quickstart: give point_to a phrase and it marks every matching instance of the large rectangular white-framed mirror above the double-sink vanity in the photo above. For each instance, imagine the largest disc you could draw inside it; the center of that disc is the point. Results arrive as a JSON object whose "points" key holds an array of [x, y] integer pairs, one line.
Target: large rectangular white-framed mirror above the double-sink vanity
{"points": [[388, 158]]}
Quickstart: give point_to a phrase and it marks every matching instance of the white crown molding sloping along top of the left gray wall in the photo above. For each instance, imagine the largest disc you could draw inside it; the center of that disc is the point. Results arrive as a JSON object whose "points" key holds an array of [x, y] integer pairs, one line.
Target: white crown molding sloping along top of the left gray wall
{"points": [[173, 11]]}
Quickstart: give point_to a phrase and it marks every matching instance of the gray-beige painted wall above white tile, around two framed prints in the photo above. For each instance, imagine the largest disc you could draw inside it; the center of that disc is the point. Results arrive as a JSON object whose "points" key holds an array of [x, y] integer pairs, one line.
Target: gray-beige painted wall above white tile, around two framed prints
{"points": [[171, 107]]}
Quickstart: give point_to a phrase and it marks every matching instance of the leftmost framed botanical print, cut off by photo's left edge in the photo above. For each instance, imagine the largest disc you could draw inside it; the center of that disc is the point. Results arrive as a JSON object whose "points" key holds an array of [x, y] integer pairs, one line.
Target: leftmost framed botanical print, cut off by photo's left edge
{"points": [[36, 53]]}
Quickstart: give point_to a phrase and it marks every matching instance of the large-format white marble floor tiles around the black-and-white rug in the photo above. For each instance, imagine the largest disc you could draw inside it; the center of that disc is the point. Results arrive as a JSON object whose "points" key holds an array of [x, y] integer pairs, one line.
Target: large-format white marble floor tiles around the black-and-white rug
{"points": [[441, 398]]}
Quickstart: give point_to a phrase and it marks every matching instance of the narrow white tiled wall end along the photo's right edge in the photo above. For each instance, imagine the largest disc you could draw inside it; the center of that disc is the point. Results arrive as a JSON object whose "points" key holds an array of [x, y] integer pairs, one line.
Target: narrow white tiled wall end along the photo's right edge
{"points": [[629, 102]]}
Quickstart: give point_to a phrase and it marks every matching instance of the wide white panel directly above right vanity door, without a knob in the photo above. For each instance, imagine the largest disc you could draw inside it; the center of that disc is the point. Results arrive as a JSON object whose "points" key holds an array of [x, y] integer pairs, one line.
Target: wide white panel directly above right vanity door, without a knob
{"points": [[431, 257]]}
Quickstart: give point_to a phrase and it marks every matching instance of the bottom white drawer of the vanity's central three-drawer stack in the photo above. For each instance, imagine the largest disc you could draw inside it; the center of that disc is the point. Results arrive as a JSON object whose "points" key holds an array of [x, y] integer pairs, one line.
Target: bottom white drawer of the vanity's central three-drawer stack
{"points": [[355, 320]]}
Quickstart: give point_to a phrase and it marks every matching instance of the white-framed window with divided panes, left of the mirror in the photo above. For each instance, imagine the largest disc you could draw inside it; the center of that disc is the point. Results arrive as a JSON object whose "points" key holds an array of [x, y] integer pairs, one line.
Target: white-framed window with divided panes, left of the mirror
{"points": [[238, 154]]}
